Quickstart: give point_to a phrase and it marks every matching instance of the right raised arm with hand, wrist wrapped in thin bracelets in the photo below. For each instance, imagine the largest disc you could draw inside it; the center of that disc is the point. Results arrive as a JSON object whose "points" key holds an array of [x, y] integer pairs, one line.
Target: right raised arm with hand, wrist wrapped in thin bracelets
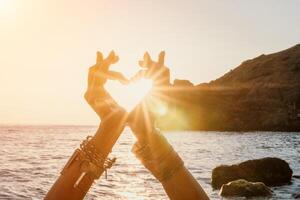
{"points": [[151, 148]]}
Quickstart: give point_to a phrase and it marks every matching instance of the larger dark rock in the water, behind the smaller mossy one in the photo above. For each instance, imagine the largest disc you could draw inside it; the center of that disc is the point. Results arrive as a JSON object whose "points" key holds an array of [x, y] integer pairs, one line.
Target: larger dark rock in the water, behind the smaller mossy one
{"points": [[270, 171]]}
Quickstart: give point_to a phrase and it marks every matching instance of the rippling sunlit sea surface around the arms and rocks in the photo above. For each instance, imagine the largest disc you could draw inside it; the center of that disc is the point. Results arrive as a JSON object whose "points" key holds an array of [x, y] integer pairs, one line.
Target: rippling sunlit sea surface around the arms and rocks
{"points": [[32, 156]]}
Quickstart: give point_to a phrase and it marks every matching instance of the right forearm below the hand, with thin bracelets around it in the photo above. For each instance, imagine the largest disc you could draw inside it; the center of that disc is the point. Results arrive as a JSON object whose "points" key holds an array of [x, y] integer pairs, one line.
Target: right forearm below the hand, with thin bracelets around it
{"points": [[165, 164]]}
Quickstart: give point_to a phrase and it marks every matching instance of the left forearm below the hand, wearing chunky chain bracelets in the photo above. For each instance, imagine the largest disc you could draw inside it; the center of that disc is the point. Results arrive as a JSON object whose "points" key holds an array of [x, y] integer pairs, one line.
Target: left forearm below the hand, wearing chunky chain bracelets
{"points": [[88, 162]]}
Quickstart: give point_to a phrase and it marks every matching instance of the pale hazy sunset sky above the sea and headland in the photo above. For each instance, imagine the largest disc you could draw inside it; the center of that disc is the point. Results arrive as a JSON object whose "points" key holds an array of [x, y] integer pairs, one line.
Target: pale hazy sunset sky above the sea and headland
{"points": [[46, 46]]}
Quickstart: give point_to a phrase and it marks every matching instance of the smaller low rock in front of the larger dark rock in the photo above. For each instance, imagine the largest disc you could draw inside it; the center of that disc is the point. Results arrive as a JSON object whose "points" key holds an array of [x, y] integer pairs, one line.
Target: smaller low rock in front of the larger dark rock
{"points": [[243, 188]]}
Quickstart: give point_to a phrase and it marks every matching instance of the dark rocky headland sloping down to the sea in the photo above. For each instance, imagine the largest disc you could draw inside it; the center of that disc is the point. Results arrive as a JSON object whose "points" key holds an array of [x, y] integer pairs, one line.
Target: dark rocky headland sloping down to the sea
{"points": [[261, 94]]}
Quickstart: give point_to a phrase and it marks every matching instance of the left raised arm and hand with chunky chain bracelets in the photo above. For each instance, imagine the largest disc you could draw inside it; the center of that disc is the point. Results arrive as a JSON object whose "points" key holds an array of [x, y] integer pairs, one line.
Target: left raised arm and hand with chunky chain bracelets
{"points": [[90, 160]]}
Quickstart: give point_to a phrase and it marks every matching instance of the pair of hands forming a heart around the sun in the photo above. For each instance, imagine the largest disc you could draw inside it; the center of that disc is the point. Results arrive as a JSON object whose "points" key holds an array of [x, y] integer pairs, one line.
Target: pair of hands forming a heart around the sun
{"points": [[140, 120]]}
